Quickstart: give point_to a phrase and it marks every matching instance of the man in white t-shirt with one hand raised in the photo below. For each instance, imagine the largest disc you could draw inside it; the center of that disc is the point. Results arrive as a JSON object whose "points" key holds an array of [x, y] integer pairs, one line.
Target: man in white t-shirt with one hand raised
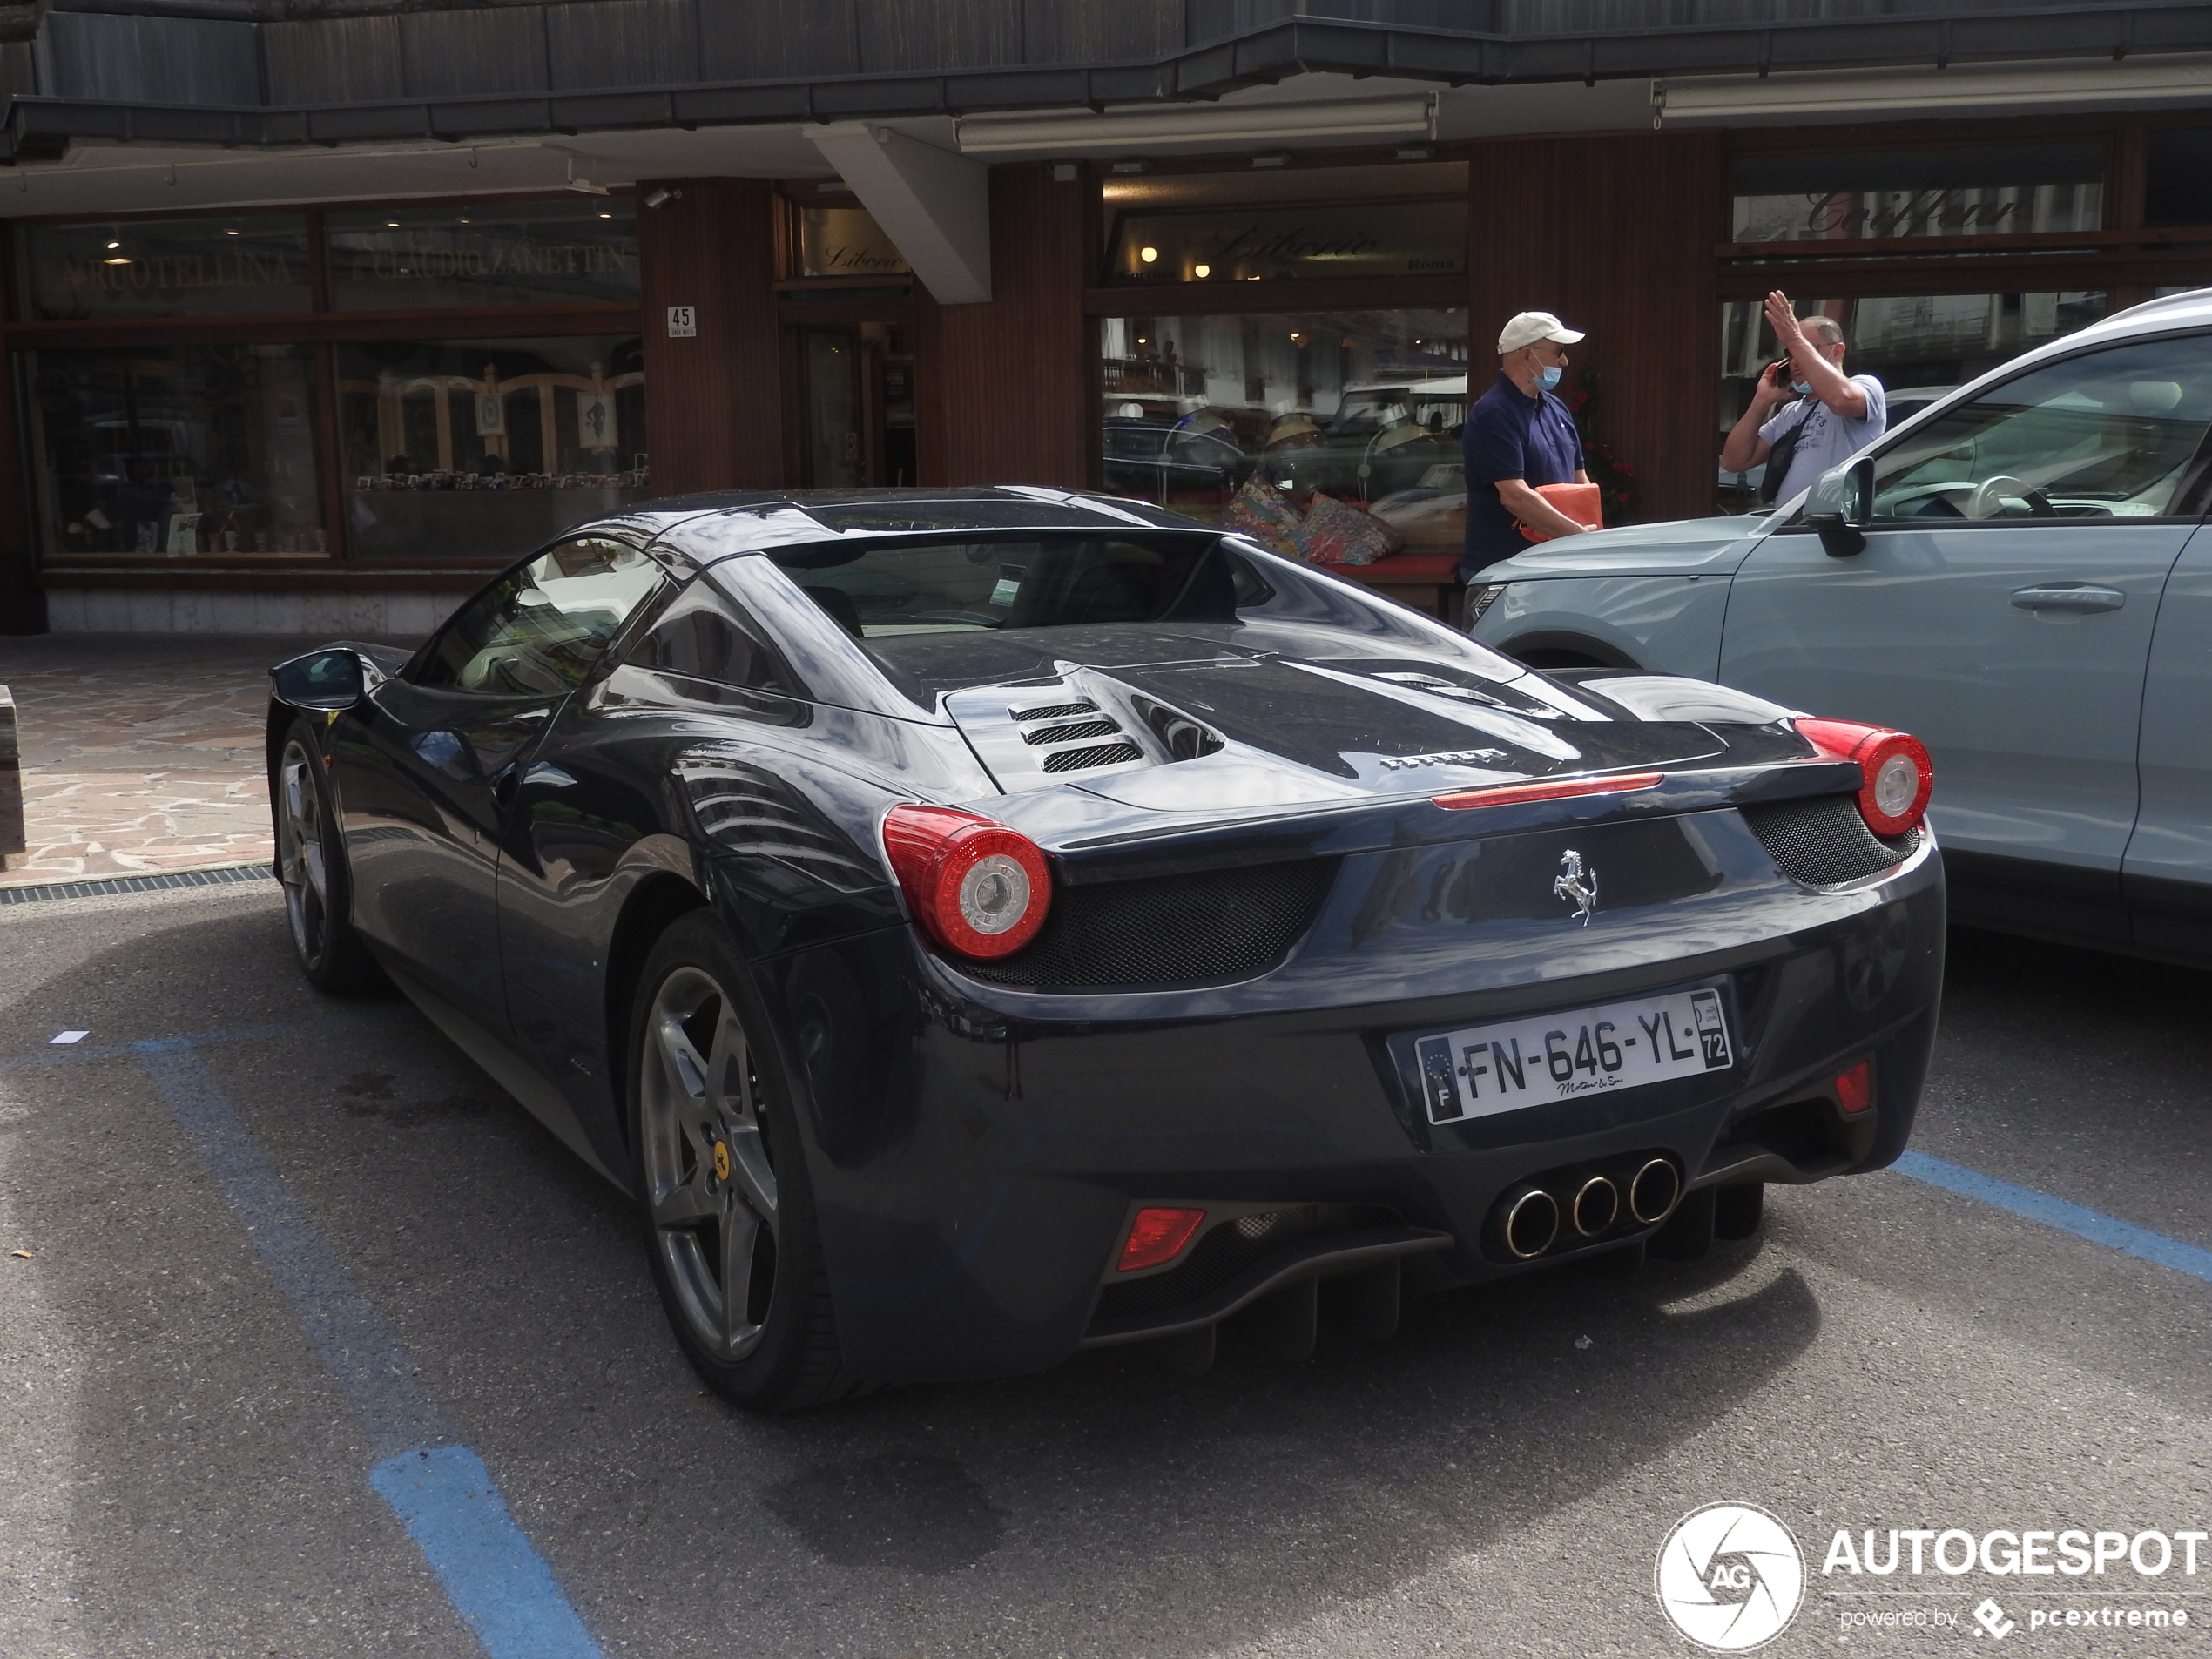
{"points": [[1824, 417]]}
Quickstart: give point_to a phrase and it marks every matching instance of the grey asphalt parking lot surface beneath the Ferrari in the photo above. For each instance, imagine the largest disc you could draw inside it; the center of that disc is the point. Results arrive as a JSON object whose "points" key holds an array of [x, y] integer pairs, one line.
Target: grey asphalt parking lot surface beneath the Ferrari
{"points": [[242, 1273]]}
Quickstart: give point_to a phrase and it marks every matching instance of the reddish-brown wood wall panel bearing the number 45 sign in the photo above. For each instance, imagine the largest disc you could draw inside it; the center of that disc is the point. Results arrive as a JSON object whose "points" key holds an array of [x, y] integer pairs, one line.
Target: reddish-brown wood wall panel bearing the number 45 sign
{"points": [[713, 404]]}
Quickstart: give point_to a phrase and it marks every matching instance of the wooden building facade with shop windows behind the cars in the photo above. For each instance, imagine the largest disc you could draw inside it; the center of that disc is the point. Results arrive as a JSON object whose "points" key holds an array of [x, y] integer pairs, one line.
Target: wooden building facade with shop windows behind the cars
{"points": [[295, 413]]}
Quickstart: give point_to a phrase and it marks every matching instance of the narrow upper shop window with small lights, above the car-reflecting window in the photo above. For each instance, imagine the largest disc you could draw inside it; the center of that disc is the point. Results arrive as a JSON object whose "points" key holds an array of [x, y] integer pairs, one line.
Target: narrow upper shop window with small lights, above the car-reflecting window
{"points": [[1273, 227]]}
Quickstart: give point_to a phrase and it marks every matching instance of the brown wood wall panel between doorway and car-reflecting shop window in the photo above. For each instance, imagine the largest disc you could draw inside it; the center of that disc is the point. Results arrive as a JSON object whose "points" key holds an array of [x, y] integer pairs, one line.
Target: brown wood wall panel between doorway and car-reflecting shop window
{"points": [[1008, 393]]}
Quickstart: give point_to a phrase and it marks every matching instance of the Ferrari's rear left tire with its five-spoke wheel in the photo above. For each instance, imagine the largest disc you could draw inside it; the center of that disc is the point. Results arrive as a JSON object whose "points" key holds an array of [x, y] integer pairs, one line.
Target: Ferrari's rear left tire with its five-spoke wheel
{"points": [[722, 1180]]}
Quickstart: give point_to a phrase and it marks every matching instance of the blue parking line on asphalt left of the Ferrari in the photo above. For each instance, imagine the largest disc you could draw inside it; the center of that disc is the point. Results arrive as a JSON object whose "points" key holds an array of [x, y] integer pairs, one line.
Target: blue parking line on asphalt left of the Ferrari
{"points": [[441, 1492]]}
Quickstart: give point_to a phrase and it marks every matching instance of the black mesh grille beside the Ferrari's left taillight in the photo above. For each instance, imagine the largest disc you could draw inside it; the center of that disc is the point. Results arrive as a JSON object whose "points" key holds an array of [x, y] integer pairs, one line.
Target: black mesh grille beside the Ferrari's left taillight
{"points": [[1169, 930]]}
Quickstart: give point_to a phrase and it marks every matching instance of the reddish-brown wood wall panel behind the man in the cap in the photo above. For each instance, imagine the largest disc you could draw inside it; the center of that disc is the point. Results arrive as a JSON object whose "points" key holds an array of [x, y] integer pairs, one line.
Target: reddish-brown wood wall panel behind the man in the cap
{"points": [[1616, 236]]}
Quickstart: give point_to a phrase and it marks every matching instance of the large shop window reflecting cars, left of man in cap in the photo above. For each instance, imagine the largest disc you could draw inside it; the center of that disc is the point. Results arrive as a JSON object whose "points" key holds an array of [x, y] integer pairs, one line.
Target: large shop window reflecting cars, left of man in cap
{"points": [[1359, 406]]}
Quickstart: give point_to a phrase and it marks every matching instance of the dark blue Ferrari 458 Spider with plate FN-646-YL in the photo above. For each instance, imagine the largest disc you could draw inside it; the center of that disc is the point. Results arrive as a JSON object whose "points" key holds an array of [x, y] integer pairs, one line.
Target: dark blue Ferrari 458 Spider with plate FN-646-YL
{"points": [[990, 924]]}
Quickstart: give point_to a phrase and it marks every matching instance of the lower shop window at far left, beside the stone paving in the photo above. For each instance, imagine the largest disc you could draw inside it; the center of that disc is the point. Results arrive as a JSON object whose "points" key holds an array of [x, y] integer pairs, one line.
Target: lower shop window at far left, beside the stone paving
{"points": [[176, 450]]}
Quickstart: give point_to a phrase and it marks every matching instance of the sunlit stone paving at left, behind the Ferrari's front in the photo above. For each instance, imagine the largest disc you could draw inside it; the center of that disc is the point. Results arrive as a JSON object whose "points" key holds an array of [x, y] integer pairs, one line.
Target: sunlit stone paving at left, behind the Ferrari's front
{"points": [[140, 753]]}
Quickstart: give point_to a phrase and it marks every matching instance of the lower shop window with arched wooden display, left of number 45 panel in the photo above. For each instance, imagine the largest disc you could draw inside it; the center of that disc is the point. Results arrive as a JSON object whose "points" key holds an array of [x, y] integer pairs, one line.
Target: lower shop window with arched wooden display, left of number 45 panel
{"points": [[486, 450]]}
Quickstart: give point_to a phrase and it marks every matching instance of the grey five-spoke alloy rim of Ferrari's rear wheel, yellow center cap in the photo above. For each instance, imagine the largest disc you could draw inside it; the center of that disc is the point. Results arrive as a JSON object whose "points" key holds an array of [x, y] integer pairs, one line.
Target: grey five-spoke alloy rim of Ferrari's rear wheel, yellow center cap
{"points": [[711, 1185]]}
